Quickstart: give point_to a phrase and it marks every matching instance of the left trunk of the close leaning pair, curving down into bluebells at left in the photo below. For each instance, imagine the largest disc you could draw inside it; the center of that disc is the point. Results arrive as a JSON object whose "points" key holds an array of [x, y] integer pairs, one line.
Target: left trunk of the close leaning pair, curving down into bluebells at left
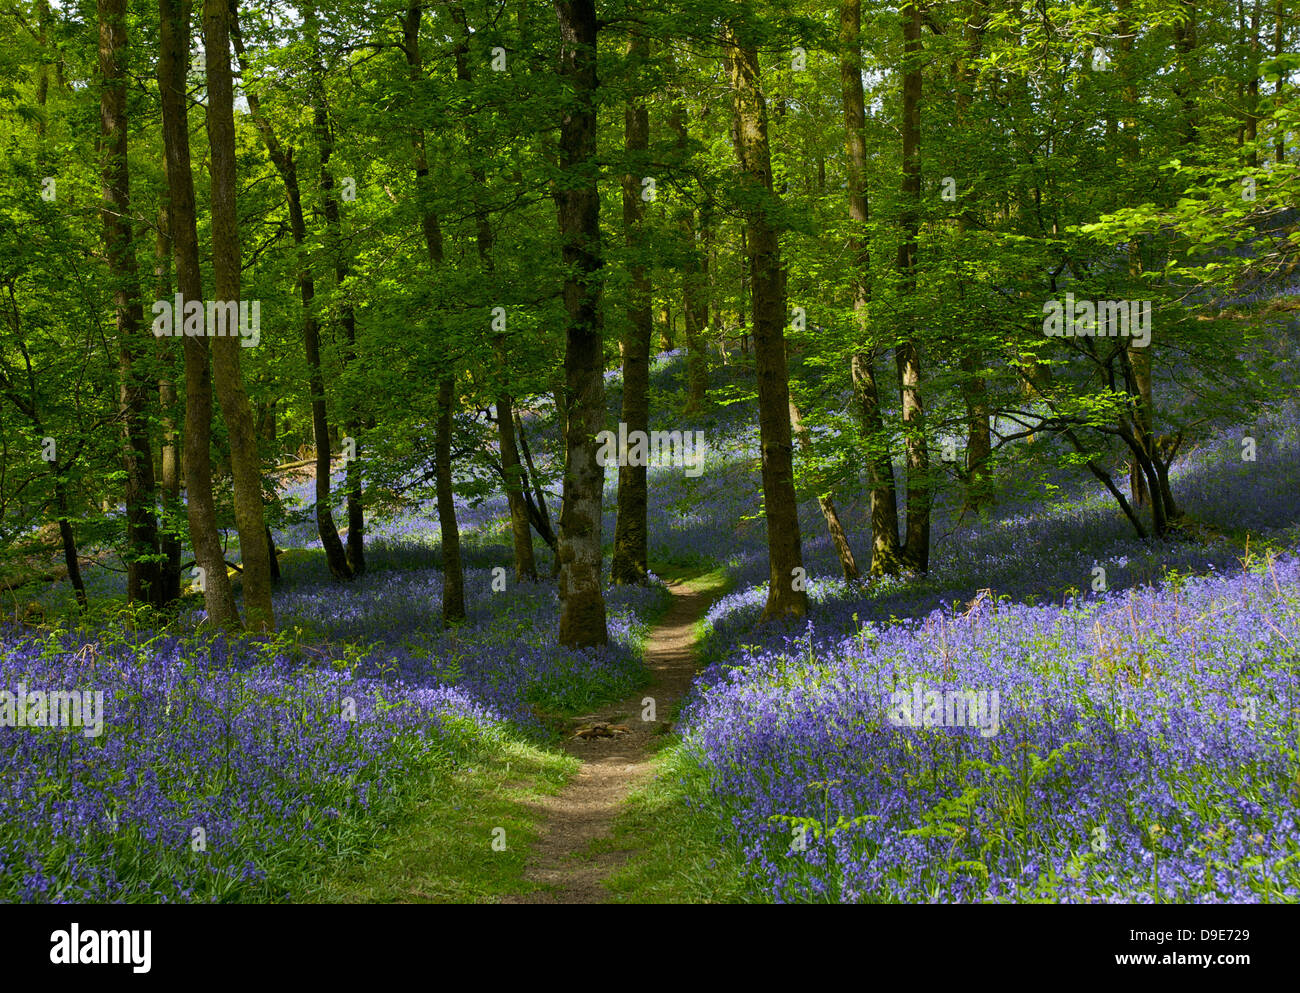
{"points": [[201, 508]]}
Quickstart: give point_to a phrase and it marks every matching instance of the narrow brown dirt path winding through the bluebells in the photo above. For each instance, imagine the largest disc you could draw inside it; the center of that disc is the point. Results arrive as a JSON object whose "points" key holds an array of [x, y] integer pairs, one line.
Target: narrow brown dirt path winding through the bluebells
{"points": [[586, 809]]}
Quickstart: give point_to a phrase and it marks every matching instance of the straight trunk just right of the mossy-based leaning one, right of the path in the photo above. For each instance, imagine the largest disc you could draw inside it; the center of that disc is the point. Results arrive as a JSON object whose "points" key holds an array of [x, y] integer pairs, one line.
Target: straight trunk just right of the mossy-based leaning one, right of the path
{"points": [[916, 550]]}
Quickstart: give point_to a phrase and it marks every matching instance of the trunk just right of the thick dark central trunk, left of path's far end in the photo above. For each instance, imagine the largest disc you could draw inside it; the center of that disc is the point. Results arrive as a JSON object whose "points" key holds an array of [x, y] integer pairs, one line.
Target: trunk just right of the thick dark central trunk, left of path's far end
{"points": [[631, 527]]}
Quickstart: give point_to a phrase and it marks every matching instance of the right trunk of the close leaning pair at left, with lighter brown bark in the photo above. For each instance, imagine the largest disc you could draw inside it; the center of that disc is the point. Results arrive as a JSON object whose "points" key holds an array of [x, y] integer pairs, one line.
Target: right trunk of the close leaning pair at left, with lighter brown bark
{"points": [[245, 461]]}
